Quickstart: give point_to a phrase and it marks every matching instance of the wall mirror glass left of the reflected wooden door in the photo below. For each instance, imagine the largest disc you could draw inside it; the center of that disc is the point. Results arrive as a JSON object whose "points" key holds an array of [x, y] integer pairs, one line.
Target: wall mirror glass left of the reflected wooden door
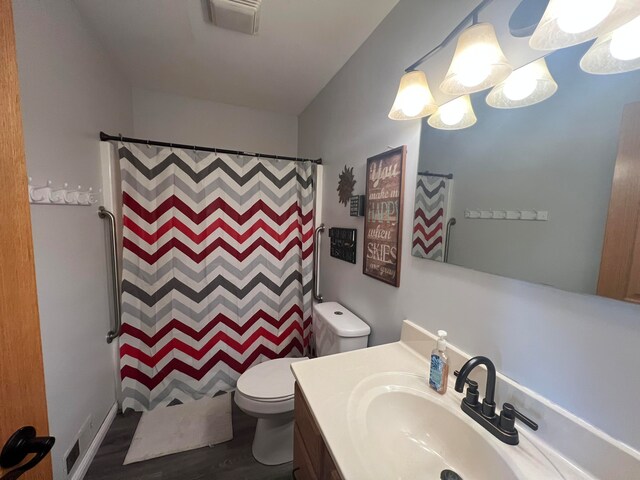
{"points": [[525, 192]]}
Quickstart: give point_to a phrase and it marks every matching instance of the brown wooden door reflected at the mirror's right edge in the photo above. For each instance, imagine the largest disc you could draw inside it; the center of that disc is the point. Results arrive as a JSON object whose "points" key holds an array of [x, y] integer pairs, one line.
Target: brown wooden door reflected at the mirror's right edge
{"points": [[620, 264]]}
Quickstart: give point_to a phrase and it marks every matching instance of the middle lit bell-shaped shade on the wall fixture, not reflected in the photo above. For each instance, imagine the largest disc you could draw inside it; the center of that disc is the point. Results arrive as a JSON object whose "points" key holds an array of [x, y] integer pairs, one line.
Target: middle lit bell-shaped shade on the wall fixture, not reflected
{"points": [[478, 63]]}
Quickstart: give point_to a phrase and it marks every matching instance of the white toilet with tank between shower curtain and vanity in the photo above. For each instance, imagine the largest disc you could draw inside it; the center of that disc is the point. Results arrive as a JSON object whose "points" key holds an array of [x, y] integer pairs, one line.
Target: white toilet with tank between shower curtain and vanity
{"points": [[266, 390]]}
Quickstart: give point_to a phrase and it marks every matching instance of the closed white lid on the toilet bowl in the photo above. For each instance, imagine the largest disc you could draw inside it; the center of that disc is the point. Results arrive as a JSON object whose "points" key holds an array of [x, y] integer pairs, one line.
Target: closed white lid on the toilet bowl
{"points": [[270, 380]]}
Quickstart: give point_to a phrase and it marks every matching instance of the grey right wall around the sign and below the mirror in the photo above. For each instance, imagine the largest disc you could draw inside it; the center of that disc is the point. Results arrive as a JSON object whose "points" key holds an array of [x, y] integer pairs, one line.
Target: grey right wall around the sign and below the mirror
{"points": [[581, 352]]}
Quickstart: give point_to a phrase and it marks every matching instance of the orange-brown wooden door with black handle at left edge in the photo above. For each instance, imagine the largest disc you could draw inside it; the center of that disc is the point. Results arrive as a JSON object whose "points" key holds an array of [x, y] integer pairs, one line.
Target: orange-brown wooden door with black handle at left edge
{"points": [[22, 393]]}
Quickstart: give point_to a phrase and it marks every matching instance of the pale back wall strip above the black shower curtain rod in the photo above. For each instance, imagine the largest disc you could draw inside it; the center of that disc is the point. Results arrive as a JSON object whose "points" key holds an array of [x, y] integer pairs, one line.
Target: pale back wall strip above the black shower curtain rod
{"points": [[173, 118]]}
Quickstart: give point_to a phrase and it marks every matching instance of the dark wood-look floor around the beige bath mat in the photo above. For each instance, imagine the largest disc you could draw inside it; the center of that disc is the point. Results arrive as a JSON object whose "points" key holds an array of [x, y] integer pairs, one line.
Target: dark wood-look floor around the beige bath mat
{"points": [[227, 461]]}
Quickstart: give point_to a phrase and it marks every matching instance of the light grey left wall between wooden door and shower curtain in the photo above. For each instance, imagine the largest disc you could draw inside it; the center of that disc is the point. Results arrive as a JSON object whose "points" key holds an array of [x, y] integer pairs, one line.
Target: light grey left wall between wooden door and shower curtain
{"points": [[70, 91]]}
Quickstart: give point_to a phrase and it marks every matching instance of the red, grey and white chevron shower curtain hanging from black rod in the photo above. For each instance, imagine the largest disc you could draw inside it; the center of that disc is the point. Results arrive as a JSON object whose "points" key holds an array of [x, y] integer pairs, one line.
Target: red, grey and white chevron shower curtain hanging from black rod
{"points": [[217, 269]]}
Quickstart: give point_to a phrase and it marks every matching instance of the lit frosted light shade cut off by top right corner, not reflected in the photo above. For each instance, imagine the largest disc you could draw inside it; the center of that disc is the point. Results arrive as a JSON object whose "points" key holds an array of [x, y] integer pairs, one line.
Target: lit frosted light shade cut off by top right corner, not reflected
{"points": [[570, 22]]}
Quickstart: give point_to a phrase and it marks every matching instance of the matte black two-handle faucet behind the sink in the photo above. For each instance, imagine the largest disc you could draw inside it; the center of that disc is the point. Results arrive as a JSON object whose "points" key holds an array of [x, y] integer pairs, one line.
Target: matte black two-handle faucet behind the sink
{"points": [[502, 426]]}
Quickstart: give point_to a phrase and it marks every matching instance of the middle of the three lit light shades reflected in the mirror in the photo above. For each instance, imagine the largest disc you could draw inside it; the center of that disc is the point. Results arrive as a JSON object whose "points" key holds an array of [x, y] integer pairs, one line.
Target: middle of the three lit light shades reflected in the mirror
{"points": [[526, 86]]}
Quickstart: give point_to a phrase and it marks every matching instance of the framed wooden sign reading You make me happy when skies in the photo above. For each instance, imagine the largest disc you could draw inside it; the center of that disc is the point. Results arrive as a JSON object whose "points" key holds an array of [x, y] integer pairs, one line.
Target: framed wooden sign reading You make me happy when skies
{"points": [[383, 216]]}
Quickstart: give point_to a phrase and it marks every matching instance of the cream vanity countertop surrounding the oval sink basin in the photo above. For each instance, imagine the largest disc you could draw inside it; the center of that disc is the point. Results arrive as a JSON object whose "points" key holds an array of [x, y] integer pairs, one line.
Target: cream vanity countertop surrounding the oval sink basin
{"points": [[327, 384]]}
